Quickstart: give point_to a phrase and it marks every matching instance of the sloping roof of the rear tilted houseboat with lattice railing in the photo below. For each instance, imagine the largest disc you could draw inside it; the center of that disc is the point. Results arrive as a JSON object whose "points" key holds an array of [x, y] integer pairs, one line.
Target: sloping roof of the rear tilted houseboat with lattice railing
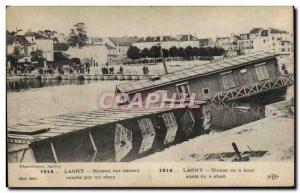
{"points": [[194, 72]]}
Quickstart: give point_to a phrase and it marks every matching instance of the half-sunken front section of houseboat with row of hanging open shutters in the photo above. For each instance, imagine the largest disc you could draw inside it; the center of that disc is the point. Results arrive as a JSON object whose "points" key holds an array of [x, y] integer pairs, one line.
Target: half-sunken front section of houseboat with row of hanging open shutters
{"points": [[107, 135]]}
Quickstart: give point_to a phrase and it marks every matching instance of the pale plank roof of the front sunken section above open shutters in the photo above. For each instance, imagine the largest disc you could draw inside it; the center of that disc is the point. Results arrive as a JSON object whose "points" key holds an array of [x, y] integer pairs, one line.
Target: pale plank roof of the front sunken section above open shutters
{"points": [[40, 129]]}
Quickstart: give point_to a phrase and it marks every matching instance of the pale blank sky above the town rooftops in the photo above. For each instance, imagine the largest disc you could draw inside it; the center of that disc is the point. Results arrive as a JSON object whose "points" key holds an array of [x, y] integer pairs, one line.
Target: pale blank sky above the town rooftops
{"points": [[150, 21]]}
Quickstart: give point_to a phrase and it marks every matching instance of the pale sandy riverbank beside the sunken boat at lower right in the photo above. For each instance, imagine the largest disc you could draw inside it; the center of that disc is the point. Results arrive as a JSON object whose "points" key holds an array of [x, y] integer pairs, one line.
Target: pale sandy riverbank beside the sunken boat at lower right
{"points": [[274, 134]]}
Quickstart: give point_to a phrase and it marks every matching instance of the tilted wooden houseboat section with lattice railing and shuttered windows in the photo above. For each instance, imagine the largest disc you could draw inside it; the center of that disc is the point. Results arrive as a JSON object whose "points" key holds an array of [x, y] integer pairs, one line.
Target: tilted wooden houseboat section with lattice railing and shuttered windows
{"points": [[228, 79]]}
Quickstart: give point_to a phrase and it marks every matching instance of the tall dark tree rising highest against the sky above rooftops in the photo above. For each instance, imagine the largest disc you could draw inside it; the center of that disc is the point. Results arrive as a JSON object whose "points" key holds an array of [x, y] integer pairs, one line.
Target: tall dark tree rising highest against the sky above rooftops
{"points": [[77, 36]]}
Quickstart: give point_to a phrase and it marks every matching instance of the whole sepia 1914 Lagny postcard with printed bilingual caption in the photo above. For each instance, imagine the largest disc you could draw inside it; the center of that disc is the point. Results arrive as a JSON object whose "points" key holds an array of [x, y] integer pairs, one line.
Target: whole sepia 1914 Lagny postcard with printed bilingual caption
{"points": [[150, 96]]}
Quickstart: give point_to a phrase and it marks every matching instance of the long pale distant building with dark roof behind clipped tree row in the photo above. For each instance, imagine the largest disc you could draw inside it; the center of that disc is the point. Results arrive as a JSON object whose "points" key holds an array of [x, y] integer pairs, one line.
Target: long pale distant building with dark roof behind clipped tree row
{"points": [[165, 42]]}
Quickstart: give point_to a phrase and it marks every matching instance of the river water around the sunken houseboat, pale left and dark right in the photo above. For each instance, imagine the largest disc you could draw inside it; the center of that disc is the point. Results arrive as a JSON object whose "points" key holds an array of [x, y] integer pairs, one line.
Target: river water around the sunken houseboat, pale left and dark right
{"points": [[54, 97]]}
